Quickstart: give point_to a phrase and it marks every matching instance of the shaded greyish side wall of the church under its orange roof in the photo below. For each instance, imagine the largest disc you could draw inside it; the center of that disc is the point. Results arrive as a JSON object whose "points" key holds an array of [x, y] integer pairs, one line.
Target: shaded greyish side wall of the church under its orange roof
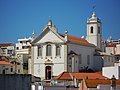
{"points": [[83, 51]]}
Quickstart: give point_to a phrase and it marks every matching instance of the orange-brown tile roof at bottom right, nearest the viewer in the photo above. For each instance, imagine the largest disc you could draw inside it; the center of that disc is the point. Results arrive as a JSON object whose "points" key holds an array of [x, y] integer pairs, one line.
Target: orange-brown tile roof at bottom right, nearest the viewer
{"points": [[93, 83]]}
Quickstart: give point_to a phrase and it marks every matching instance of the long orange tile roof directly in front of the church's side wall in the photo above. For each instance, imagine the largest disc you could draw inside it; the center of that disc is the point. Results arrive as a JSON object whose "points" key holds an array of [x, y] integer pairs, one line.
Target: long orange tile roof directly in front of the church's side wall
{"points": [[79, 75]]}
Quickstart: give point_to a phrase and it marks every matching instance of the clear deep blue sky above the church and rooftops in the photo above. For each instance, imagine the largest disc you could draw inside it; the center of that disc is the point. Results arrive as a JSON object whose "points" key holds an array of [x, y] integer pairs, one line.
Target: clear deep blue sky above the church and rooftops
{"points": [[19, 18]]}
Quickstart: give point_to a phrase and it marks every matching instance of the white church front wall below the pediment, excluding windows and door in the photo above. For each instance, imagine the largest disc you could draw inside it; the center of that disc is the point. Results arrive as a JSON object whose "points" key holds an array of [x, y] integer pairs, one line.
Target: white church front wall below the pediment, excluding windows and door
{"points": [[58, 61]]}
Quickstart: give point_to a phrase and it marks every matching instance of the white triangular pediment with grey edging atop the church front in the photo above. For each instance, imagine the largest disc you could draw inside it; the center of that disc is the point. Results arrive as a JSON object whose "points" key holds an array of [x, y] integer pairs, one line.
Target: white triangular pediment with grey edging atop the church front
{"points": [[49, 35]]}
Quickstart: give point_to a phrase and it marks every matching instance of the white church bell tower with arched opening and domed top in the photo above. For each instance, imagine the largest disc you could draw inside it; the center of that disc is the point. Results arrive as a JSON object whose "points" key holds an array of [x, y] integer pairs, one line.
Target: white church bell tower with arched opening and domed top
{"points": [[94, 31]]}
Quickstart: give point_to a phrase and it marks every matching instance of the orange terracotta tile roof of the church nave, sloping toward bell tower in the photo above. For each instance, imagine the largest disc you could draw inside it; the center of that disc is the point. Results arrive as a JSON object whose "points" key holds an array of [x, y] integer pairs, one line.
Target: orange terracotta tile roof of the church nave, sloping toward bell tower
{"points": [[76, 39]]}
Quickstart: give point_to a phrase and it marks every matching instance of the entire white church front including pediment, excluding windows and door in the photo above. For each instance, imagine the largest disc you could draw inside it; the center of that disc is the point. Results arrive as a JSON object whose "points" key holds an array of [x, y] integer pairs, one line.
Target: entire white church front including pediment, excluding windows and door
{"points": [[56, 62]]}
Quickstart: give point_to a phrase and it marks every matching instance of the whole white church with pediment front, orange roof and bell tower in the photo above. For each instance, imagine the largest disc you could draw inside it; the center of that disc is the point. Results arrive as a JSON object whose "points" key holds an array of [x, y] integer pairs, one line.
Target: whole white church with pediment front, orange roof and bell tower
{"points": [[53, 53]]}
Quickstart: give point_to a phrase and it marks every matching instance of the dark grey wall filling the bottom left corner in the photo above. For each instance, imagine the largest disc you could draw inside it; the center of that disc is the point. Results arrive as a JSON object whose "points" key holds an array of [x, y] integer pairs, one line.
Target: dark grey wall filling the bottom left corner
{"points": [[15, 81]]}
